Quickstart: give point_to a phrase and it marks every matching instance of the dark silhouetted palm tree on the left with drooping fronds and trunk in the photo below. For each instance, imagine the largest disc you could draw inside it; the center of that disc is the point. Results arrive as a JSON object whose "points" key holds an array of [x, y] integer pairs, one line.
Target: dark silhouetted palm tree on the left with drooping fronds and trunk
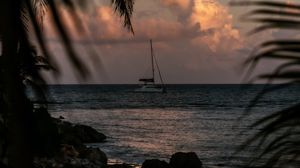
{"points": [[20, 67]]}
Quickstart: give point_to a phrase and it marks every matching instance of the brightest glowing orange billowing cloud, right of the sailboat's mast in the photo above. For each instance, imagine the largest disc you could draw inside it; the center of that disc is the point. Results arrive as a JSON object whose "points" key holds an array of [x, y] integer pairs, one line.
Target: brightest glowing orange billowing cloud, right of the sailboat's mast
{"points": [[211, 14]]}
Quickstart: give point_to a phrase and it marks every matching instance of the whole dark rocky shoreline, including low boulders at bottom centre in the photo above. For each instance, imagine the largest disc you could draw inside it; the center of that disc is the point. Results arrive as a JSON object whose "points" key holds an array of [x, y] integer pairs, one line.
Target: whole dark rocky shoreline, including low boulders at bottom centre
{"points": [[72, 153]]}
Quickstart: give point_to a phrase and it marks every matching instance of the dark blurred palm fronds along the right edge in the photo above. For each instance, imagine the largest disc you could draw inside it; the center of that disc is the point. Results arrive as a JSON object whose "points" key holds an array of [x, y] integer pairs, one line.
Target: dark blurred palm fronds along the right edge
{"points": [[277, 142]]}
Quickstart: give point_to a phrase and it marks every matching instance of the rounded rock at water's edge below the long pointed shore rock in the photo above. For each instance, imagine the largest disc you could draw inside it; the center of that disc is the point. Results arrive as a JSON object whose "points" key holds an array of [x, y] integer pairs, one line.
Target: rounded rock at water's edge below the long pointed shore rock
{"points": [[93, 155]]}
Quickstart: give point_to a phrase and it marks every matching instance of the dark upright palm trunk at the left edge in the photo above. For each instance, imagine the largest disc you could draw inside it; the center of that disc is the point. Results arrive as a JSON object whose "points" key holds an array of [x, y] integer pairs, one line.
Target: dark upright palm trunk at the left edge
{"points": [[18, 110]]}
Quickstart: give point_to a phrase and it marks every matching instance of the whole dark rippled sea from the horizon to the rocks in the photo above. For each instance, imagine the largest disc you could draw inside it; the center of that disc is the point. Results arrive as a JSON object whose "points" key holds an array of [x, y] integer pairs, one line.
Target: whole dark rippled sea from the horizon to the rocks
{"points": [[210, 120]]}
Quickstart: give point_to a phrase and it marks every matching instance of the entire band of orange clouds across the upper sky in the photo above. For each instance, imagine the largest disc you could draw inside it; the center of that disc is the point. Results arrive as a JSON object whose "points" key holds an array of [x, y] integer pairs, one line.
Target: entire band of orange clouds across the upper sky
{"points": [[104, 25]]}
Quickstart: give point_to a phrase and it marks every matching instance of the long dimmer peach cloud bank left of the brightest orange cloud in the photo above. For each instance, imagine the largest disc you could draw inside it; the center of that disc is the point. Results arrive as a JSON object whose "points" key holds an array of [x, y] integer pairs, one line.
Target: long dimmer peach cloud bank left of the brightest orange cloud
{"points": [[104, 26]]}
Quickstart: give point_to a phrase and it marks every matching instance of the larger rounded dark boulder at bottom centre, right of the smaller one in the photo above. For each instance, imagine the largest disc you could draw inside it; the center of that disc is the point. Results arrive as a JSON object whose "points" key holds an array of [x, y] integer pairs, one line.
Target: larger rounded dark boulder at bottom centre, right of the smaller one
{"points": [[185, 160]]}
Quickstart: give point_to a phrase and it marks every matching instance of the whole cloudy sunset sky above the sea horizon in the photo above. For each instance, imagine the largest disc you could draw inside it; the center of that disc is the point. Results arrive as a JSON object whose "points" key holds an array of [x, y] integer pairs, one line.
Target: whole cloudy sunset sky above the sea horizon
{"points": [[195, 42]]}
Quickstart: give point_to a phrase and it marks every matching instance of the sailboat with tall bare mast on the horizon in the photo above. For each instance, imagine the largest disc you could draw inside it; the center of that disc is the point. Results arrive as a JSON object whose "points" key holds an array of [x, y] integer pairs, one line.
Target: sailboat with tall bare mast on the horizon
{"points": [[149, 84]]}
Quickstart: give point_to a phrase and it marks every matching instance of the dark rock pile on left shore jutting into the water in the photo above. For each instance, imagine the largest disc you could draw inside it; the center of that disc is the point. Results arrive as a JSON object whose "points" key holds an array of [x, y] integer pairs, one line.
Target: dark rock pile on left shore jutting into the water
{"points": [[60, 144]]}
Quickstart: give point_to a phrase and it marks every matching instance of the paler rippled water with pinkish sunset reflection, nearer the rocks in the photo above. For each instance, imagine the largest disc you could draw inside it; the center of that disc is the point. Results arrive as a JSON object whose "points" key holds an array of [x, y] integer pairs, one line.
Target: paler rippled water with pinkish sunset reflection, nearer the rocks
{"points": [[138, 134]]}
